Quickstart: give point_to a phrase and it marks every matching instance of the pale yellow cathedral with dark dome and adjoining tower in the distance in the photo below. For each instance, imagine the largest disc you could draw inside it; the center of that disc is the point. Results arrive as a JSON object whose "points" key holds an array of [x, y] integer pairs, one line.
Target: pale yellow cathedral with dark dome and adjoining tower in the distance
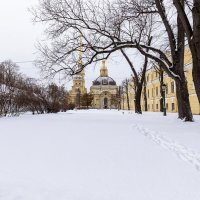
{"points": [[104, 90]]}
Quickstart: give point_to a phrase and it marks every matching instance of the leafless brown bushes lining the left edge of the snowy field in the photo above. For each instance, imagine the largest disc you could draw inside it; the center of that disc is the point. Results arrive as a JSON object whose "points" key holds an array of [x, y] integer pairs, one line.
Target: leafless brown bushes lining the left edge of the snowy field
{"points": [[20, 94]]}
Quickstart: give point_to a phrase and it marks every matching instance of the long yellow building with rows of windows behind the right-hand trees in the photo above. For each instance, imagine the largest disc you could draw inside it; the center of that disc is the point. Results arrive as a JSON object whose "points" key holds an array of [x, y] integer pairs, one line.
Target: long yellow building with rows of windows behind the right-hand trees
{"points": [[153, 90]]}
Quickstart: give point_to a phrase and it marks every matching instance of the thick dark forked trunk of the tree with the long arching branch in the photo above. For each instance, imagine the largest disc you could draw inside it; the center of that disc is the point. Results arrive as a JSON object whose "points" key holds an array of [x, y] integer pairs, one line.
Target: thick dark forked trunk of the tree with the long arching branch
{"points": [[177, 53]]}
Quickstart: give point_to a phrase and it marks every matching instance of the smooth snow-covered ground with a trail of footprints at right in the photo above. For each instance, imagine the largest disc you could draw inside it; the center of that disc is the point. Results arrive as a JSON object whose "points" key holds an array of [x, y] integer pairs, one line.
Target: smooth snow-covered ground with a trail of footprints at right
{"points": [[99, 155]]}
